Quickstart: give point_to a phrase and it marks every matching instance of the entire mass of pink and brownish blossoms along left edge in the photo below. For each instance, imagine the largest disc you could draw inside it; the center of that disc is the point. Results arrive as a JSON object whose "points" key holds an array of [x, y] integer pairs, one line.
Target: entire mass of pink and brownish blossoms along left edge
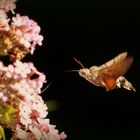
{"points": [[22, 109]]}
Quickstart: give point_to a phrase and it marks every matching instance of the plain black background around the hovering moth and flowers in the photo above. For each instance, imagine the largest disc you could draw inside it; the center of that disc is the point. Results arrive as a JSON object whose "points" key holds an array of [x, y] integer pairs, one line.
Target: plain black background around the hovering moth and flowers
{"points": [[92, 32]]}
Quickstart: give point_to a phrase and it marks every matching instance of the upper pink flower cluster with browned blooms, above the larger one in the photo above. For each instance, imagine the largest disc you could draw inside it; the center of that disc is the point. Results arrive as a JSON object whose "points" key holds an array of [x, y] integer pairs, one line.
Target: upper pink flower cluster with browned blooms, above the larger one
{"points": [[18, 36]]}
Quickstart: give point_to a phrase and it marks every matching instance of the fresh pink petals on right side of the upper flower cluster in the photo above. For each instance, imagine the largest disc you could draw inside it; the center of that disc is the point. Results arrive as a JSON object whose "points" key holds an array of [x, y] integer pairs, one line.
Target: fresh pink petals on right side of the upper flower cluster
{"points": [[28, 30]]}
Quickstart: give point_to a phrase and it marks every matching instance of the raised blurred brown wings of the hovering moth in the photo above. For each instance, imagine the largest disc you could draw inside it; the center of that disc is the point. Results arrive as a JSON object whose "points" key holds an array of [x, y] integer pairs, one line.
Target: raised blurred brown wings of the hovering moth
{"points": [[117, 66]]}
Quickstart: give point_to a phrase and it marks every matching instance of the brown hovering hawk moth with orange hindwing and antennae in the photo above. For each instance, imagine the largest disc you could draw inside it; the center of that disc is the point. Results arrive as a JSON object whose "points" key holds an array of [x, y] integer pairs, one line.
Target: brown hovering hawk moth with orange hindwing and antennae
{"points": [[109, 75]]}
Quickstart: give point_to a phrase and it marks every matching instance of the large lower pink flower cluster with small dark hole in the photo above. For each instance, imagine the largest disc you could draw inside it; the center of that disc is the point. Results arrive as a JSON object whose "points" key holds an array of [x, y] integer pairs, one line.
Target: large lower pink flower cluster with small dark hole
{"points": [[22, 108]]}
